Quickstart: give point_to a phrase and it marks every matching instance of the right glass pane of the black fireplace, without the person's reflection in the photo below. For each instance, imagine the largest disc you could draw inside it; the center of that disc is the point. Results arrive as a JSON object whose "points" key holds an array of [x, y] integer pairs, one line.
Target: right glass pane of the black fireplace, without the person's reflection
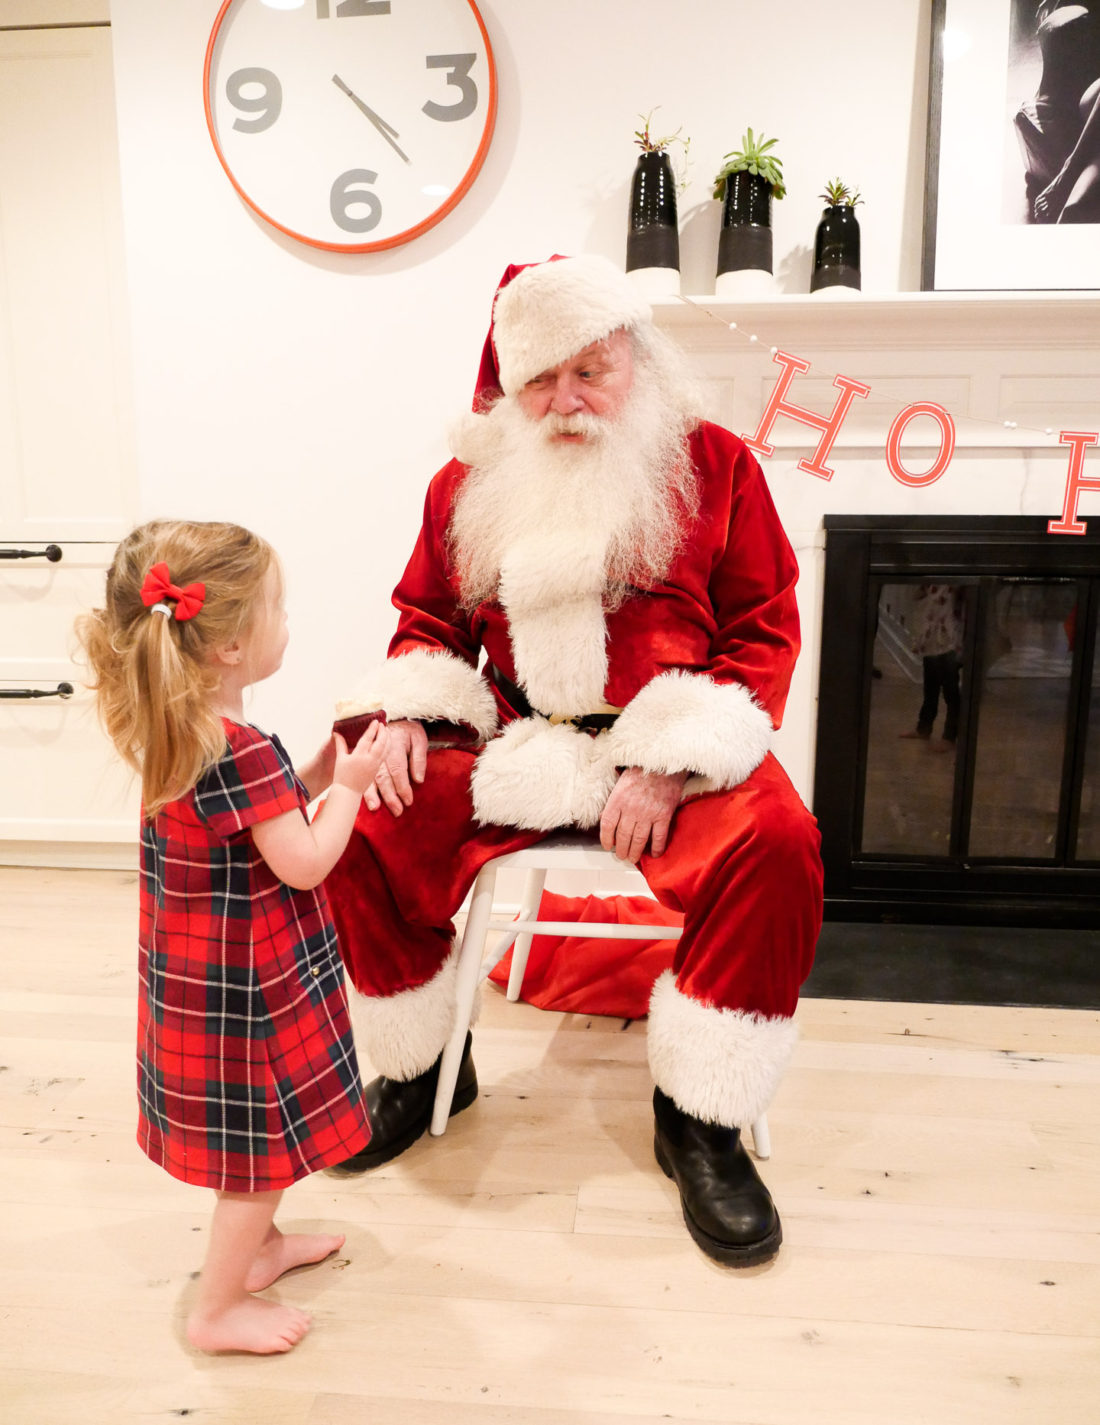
{"points": [[1024, 705]]}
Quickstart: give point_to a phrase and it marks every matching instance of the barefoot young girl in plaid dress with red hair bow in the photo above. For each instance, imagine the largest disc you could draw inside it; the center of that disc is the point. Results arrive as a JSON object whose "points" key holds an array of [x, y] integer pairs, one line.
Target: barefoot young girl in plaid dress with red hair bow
{"points": [[247, 1071]]}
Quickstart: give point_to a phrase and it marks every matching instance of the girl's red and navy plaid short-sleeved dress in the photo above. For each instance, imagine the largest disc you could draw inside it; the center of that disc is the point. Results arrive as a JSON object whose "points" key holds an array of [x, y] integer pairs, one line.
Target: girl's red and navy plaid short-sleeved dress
{"points": [[247, 1069]]}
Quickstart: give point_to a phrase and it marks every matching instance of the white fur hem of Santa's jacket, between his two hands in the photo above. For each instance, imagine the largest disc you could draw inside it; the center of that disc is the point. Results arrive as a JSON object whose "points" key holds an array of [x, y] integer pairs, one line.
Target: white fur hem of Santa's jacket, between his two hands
{"points": [[542, 776]]}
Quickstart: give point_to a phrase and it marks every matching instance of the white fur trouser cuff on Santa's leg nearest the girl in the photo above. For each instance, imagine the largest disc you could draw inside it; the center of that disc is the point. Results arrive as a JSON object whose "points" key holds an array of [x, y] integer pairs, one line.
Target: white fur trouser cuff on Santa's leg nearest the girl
{"points": [[405, 1034]]}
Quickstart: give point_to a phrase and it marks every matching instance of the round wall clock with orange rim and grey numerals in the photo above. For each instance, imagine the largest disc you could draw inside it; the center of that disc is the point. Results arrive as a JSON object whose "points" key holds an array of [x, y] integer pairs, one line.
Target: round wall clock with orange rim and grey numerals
{"points": [[351, 125]]}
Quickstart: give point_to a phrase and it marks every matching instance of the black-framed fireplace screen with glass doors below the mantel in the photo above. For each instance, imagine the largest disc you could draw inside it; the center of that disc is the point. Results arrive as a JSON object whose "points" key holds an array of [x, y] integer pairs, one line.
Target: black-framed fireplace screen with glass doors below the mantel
{"points": [[958, 772]]}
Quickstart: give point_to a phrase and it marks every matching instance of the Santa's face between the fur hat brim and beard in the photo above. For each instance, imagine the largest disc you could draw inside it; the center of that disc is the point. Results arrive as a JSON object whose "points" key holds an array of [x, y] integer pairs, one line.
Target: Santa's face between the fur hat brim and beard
{"points": [[578, 395]]}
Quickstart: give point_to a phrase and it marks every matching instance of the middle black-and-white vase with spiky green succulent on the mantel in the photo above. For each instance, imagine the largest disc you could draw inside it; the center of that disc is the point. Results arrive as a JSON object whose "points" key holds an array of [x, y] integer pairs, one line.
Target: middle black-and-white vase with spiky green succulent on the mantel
{"points": [[750, 177]]}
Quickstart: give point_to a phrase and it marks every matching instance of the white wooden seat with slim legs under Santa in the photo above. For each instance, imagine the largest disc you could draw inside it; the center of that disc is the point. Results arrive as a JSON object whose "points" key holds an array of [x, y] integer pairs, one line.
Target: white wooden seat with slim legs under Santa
{"points": [[572, 851]]}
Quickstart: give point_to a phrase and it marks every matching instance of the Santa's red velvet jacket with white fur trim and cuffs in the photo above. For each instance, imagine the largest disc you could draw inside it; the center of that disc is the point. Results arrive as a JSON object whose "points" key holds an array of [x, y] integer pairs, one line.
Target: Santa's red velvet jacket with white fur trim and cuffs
{"points": [[700, 663]]}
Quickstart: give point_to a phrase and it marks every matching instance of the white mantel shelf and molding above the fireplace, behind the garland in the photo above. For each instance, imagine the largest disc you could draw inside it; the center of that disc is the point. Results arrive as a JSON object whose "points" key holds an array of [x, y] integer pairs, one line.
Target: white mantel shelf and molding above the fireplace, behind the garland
{"points": [[988, 360]]}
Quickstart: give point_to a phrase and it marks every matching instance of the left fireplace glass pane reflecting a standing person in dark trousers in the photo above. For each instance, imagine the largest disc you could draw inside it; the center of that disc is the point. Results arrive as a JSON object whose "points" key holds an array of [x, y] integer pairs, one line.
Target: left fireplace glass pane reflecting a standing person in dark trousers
{"points": [[914, 723]]}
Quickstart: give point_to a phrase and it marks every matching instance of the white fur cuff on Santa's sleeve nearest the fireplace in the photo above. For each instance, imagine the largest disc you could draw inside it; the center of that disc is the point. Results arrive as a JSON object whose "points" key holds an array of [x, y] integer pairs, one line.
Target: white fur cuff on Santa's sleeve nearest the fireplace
{"points": [[689, 723]]}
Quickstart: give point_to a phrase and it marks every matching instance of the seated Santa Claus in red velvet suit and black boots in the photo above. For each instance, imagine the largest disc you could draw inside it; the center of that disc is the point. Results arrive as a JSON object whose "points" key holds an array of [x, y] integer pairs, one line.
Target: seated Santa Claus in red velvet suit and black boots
{"points": [[596, 629]]}
